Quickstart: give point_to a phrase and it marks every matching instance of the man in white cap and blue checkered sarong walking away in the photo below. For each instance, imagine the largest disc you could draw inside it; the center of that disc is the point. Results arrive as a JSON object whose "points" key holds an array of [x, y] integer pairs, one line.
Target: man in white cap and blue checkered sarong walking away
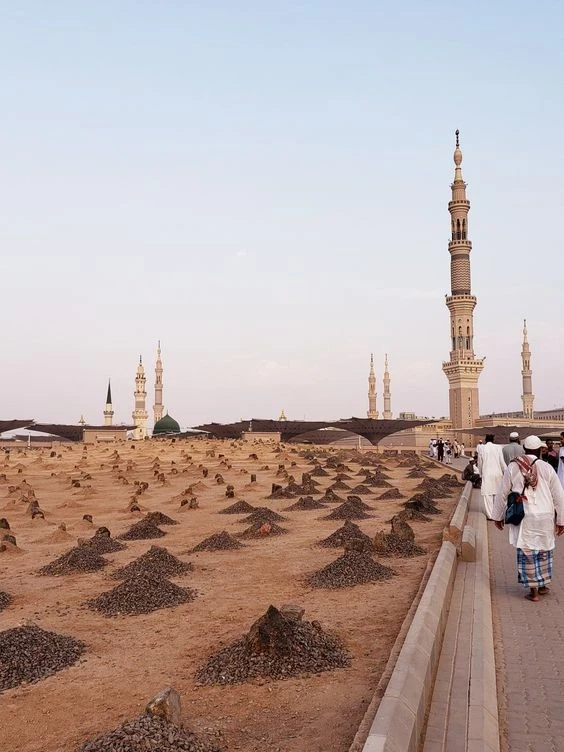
{"points": [[534, 538]]}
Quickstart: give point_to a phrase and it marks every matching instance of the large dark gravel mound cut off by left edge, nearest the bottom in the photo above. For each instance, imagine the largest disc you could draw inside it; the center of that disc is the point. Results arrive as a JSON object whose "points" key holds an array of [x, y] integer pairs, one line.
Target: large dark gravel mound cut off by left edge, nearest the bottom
{"points": [[28, 654]]}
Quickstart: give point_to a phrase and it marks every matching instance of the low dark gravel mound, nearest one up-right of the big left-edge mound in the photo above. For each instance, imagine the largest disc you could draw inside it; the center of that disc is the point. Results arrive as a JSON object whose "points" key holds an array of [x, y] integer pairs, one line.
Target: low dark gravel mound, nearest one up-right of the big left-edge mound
{"points": [[141, 595]]}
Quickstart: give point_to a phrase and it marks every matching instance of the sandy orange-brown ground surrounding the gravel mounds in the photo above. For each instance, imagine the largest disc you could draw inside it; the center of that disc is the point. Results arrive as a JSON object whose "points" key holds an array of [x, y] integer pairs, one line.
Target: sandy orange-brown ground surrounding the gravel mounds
{"points": [[130, 658]]}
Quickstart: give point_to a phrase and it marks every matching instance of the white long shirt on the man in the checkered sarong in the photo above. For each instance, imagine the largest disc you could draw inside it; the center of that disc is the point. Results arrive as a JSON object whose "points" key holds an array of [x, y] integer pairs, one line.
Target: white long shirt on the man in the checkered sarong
{"points": [[536, 531]]}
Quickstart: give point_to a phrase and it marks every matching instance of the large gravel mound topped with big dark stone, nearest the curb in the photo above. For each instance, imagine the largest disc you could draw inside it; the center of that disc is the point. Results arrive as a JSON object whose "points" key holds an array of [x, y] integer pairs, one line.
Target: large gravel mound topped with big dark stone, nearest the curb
{"points": [[276, 647]]}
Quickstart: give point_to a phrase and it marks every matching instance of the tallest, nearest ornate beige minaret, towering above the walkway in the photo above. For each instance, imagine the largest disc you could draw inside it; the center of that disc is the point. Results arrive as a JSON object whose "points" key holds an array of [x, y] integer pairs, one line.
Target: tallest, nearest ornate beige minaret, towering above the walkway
{"points": [[463, 369]]}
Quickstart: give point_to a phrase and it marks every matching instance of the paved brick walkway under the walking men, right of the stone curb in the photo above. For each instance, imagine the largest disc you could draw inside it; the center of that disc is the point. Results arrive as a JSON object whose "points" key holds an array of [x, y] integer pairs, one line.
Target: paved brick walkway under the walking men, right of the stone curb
{"points": [[531, 656]]}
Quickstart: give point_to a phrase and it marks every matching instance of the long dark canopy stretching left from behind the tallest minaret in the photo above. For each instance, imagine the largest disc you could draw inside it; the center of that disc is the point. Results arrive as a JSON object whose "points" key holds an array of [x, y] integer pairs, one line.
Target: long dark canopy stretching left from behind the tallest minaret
{"points": [[292, 430]]}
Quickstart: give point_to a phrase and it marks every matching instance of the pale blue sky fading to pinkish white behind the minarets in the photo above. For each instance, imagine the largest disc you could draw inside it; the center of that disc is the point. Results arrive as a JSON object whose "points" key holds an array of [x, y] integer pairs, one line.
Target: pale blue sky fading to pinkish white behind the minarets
{"points": [[263, 186]]}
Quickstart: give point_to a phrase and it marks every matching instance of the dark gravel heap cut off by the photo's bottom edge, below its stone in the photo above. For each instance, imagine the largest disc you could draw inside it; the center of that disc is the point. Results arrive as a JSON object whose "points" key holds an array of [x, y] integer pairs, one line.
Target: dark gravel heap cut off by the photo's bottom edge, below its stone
{"points": [[148, 733]]}
